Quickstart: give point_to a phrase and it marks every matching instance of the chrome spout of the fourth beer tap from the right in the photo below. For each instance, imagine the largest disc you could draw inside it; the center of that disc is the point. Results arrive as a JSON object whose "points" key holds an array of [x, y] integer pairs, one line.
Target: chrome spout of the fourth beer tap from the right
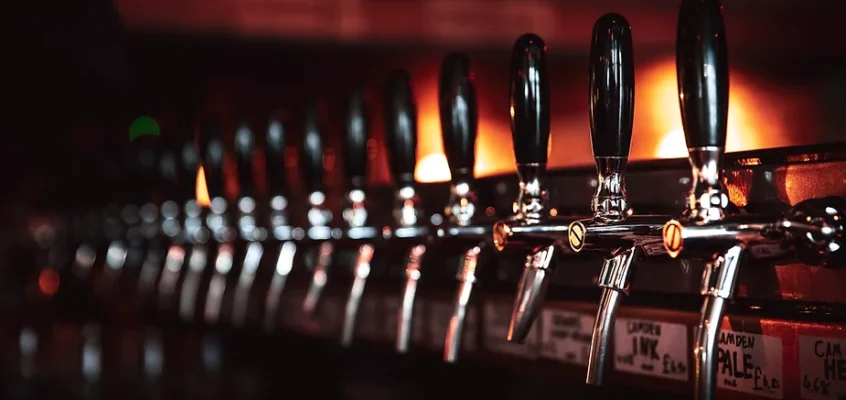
{"points": [[466, 280]]}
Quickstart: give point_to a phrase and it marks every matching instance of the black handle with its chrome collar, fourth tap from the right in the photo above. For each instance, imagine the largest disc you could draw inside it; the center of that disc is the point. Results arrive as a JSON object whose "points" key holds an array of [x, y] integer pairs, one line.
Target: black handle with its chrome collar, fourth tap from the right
{"points": [[459, 126]]}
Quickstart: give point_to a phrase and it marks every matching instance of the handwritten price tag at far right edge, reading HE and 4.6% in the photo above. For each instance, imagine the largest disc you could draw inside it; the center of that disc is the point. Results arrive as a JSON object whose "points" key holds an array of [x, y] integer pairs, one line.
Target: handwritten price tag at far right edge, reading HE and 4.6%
{"points": [[822, 364]]}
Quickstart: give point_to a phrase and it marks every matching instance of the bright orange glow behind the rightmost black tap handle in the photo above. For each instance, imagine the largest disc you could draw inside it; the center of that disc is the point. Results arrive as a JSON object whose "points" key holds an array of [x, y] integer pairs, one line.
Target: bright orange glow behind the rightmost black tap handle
{"points": [[751, 116]]}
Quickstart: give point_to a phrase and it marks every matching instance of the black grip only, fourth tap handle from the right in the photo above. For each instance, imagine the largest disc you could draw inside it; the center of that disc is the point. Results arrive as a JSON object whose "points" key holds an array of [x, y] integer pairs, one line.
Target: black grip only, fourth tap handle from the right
{"points": [[459, 115]]}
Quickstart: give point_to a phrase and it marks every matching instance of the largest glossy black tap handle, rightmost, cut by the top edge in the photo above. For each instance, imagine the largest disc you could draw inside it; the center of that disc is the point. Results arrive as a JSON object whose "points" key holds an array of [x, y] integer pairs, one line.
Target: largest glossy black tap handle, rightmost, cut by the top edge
{"points": [[703, 76]]}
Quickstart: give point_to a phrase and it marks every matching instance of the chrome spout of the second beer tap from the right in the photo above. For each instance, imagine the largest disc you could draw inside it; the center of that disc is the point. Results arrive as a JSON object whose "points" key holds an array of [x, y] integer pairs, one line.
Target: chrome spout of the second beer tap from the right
{"points": [[614, 279]]}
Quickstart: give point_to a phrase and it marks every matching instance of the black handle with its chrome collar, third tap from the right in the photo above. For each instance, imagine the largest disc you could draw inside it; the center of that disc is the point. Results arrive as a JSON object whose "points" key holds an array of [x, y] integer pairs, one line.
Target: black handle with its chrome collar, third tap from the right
{"points": [[529, 92]]}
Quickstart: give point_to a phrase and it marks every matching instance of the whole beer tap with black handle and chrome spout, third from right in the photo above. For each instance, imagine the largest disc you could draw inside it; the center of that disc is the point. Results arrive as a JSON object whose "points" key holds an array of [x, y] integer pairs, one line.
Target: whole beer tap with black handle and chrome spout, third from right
{"points": [[529, 92]]}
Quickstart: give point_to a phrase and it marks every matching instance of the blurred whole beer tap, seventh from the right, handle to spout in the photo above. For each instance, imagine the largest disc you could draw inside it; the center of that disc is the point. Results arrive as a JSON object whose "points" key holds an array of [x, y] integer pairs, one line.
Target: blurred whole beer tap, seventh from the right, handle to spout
{"points": [[319, 217]]}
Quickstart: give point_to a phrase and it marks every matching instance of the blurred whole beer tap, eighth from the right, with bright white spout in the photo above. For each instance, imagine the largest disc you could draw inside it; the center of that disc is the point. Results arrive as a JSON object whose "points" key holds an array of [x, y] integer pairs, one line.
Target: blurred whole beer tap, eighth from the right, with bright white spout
{"points": [[279, 219]]}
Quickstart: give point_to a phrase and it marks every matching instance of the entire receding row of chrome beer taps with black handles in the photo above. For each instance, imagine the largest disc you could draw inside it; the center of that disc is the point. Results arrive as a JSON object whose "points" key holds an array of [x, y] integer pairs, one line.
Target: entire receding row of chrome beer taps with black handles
{"points": [[247, 235]]}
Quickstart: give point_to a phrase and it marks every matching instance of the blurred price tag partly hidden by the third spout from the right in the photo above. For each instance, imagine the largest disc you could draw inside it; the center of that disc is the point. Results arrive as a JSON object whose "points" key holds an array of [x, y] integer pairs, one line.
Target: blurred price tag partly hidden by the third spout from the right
{"points": [[497, 319]]}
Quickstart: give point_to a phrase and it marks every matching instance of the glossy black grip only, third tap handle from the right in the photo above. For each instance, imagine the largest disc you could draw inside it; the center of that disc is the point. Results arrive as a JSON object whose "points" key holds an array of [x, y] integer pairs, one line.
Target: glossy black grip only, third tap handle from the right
{"points": [[529, 90]]}
